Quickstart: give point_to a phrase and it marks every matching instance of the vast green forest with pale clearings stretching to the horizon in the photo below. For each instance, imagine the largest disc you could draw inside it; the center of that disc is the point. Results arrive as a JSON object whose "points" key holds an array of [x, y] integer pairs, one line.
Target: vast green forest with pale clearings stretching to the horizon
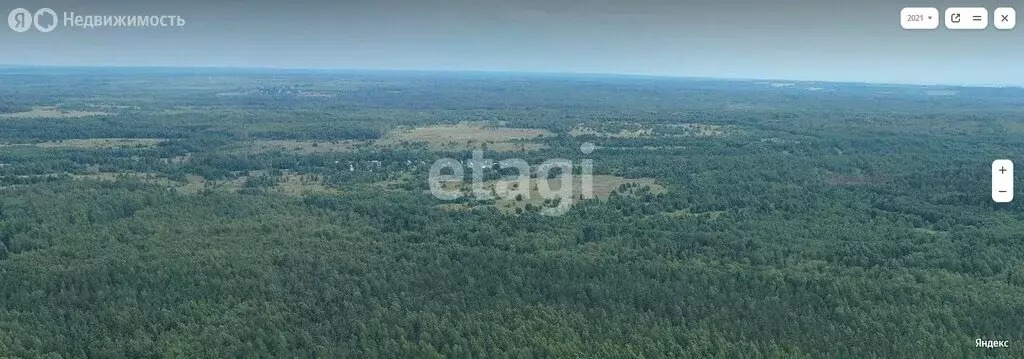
{"points": [[230, 213]]}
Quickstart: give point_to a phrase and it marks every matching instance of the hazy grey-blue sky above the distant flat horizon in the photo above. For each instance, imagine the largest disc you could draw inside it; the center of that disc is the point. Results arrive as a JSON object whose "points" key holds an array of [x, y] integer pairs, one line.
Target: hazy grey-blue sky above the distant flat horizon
{"points": [[824, 40]]}
